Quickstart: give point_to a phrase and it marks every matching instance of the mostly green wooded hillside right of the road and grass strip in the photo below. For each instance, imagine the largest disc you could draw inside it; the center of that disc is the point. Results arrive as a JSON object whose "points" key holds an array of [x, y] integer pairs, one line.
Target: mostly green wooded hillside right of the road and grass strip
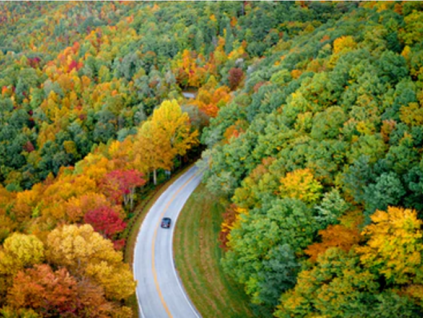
{"points": [[319, 154]]}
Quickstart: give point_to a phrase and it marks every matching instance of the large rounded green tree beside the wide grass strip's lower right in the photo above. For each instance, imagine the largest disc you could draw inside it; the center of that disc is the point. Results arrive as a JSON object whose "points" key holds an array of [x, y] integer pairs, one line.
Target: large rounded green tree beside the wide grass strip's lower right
{"points": [[264, 242]]}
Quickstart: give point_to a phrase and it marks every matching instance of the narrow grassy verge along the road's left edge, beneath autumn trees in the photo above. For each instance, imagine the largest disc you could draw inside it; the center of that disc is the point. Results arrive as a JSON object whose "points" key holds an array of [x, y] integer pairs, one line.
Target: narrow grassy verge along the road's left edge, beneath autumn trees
{"points": [[135, 225]]}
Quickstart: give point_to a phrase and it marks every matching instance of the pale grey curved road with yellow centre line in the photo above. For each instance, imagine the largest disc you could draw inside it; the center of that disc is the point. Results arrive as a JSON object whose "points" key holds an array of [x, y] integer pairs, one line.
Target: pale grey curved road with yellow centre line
{"points": [[159, 291]]}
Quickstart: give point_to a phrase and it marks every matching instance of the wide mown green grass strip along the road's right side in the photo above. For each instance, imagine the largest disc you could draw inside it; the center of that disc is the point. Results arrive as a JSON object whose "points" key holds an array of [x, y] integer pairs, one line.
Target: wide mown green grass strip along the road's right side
{"points": [[197, 258]]}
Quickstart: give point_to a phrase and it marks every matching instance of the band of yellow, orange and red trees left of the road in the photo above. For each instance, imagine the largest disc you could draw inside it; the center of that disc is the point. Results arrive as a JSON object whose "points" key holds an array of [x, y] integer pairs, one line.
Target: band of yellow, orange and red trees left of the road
{"points": [[91, 278]]}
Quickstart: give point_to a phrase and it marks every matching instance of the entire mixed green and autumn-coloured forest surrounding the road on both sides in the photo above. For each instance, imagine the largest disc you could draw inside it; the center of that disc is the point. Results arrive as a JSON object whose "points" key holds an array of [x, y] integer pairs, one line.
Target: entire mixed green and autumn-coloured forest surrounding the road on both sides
{"points": [[311, 117]]}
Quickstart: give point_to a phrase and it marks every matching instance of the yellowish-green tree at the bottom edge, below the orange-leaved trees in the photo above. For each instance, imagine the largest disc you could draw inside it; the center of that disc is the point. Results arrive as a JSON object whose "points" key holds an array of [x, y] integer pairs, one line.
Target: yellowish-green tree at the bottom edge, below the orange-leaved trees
{"points": [[337, 286]]}
